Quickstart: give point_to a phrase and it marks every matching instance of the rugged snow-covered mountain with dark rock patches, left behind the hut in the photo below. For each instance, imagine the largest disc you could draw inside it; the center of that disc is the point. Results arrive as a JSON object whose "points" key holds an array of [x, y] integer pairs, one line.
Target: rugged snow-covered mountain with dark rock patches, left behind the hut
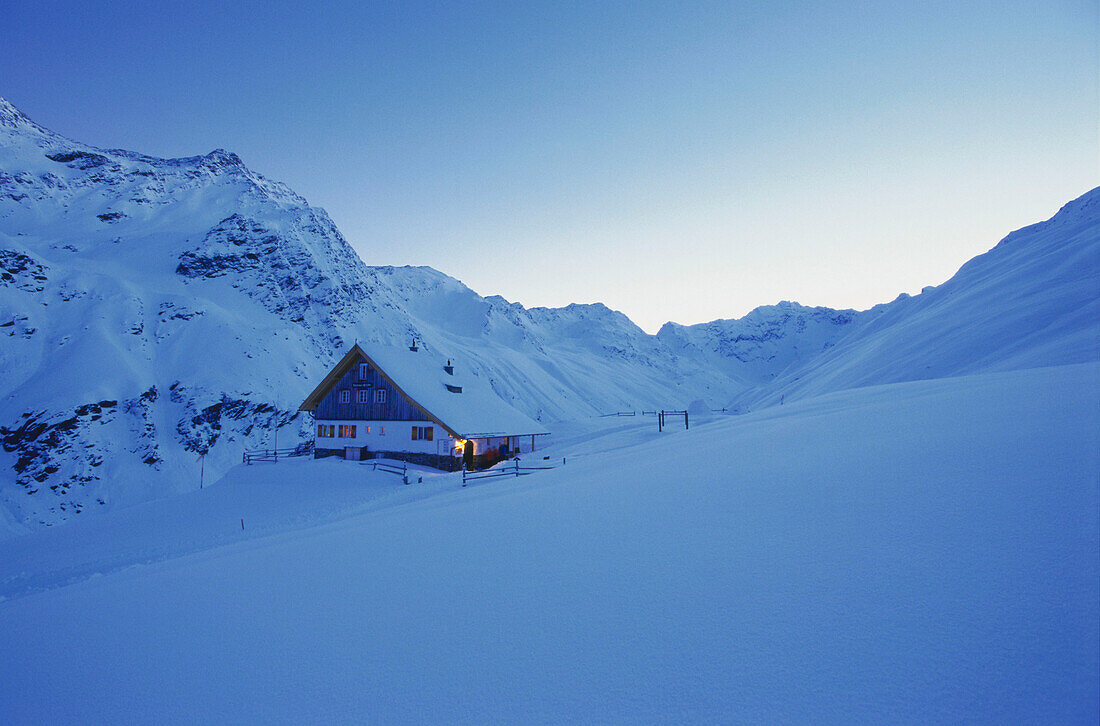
{"points": [[155, 311]]}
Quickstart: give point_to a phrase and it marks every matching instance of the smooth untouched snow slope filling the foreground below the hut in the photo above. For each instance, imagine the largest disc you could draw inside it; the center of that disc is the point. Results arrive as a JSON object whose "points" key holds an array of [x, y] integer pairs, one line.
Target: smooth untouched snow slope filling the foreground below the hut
{"points": [[918, 553]]}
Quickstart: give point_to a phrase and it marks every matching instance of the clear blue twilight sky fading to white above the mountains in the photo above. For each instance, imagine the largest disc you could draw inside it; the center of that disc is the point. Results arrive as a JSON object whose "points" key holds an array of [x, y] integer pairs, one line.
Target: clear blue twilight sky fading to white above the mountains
{"points": [[675, 161]]}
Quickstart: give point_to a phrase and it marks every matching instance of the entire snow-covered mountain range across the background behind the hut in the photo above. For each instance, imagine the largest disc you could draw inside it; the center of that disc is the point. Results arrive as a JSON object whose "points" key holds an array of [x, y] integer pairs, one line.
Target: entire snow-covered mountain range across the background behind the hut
{"points": [[155, 311]]}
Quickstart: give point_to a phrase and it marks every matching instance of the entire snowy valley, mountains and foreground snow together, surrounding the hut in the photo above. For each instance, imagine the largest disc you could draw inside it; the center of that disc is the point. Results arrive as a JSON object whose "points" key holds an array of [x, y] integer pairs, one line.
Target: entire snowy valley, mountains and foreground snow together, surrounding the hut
{"points": [[888, 516]]}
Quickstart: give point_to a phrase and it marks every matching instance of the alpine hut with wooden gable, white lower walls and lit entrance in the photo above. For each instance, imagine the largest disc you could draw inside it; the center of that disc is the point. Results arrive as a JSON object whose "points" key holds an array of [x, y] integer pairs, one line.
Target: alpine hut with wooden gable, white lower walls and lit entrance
{"points": [[404, 403]]}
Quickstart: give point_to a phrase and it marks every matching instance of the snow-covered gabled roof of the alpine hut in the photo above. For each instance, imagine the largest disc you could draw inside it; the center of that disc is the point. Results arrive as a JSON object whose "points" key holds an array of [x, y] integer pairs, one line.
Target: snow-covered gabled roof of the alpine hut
{"points": [[476, 413]]}
